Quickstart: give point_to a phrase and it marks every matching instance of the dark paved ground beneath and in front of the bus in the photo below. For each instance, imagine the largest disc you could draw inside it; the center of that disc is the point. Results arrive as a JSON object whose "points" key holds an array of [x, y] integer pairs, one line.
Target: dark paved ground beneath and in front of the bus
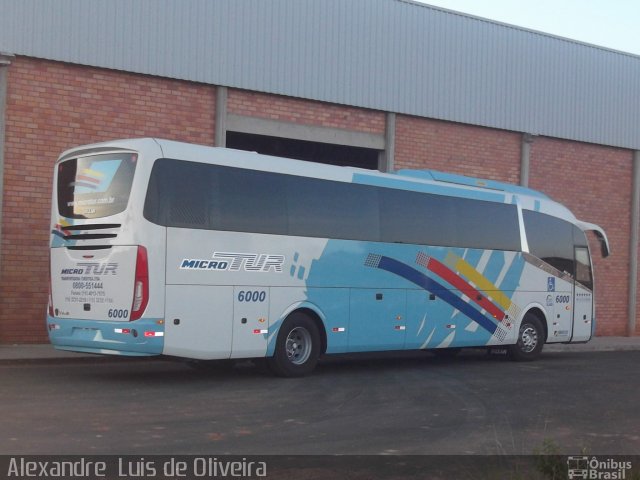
{"points": [[412, 403]]}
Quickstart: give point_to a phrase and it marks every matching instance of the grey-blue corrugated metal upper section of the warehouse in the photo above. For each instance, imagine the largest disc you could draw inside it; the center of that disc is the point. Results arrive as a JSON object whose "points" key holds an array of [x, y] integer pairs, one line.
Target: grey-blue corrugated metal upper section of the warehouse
{"points": [[391, 55]]}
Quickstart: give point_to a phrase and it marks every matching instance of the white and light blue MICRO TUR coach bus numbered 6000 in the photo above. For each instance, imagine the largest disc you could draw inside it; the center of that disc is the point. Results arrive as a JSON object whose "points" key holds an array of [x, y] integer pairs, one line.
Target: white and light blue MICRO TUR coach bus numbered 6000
{"points": [[166, 248]]}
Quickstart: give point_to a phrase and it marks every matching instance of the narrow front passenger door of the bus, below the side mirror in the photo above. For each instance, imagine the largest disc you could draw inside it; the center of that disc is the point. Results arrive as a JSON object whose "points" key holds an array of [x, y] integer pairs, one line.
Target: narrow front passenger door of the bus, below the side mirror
{"points": [[582, 296]]}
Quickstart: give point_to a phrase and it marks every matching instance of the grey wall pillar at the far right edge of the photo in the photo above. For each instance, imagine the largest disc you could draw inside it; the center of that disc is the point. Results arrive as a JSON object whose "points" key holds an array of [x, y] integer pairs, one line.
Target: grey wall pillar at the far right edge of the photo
{"points": [[633, 245]]}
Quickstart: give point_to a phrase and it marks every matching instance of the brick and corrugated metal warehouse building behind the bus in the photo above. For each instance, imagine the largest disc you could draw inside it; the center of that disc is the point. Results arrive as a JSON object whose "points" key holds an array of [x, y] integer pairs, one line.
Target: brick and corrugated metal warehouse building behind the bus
{"points": [[379, 84]]}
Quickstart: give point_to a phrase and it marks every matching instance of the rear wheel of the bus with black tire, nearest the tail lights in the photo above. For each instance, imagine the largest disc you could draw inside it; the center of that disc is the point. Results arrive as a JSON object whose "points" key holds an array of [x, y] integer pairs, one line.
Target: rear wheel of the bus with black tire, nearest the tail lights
{"points": [[297, 347]]}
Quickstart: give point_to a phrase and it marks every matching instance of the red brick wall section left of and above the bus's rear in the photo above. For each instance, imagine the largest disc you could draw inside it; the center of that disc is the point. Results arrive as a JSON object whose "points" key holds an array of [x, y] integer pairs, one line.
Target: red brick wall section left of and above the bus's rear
{"points": [[53, 106]]}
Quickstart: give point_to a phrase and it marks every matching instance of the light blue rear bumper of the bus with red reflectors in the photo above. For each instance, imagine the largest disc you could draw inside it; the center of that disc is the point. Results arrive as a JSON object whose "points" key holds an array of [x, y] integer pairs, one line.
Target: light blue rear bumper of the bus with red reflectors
{"points": [[139, 338]]}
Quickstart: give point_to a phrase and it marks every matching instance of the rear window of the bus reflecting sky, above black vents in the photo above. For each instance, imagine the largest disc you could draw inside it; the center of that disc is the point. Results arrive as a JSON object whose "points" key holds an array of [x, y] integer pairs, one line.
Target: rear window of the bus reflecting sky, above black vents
{"points": [[95, 186]]}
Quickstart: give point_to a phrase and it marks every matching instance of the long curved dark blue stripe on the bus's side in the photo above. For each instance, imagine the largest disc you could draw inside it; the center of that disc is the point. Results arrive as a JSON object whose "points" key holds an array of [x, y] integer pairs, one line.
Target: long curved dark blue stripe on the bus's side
{"points": [[430, 285]]}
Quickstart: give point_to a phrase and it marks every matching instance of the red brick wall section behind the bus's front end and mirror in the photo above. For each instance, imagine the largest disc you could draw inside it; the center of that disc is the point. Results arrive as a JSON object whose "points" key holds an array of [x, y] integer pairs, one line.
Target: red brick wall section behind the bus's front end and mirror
{"points": [[595, 183]]}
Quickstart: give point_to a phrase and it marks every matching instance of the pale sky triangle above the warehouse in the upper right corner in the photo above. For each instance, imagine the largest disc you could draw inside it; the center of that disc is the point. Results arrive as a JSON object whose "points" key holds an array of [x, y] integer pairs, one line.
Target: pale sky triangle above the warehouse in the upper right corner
{"points": [[612, 24]]}
